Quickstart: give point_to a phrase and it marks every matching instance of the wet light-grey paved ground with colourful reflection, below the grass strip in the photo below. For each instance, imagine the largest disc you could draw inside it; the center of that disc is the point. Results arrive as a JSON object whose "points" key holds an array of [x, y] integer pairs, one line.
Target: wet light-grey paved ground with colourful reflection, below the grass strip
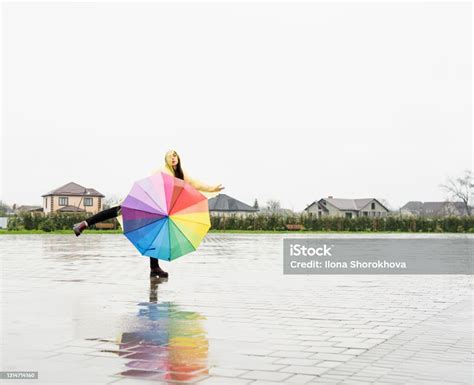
{"points": [[83, 310]]}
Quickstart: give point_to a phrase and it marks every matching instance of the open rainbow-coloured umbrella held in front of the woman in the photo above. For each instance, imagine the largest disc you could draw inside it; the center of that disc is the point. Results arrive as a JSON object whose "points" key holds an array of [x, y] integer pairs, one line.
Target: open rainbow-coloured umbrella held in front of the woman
{"points": [[165, 217]]}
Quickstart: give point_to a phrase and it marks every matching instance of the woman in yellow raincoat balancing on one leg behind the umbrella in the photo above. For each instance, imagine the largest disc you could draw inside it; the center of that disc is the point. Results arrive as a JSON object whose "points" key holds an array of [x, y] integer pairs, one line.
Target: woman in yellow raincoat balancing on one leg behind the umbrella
{"points": [[172, 167]]}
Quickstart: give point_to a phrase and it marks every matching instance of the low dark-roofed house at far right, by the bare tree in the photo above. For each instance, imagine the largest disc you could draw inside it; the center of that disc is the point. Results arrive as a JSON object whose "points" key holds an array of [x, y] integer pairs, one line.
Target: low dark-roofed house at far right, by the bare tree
{"points": [[434, 209]]}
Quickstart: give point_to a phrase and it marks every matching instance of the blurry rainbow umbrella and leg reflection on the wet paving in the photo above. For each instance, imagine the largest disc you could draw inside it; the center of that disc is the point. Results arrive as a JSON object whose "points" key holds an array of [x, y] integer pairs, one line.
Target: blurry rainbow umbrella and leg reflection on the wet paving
{"points": [[166, 343]]}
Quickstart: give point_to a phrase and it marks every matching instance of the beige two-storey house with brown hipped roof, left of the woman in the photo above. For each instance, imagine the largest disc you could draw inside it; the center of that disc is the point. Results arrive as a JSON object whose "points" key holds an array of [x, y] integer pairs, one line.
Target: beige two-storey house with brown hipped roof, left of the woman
{"points": [[72, 198]]}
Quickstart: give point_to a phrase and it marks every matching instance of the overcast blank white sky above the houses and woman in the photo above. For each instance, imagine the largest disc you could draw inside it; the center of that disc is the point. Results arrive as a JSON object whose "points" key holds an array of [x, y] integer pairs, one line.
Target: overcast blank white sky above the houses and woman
{"points": [[292, 102]]}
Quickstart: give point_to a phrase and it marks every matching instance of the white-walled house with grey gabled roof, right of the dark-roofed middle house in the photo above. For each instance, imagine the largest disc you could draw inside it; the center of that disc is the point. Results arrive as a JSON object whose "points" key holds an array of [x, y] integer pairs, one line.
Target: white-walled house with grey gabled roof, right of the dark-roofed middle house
{"points": [[349, 208]]}
